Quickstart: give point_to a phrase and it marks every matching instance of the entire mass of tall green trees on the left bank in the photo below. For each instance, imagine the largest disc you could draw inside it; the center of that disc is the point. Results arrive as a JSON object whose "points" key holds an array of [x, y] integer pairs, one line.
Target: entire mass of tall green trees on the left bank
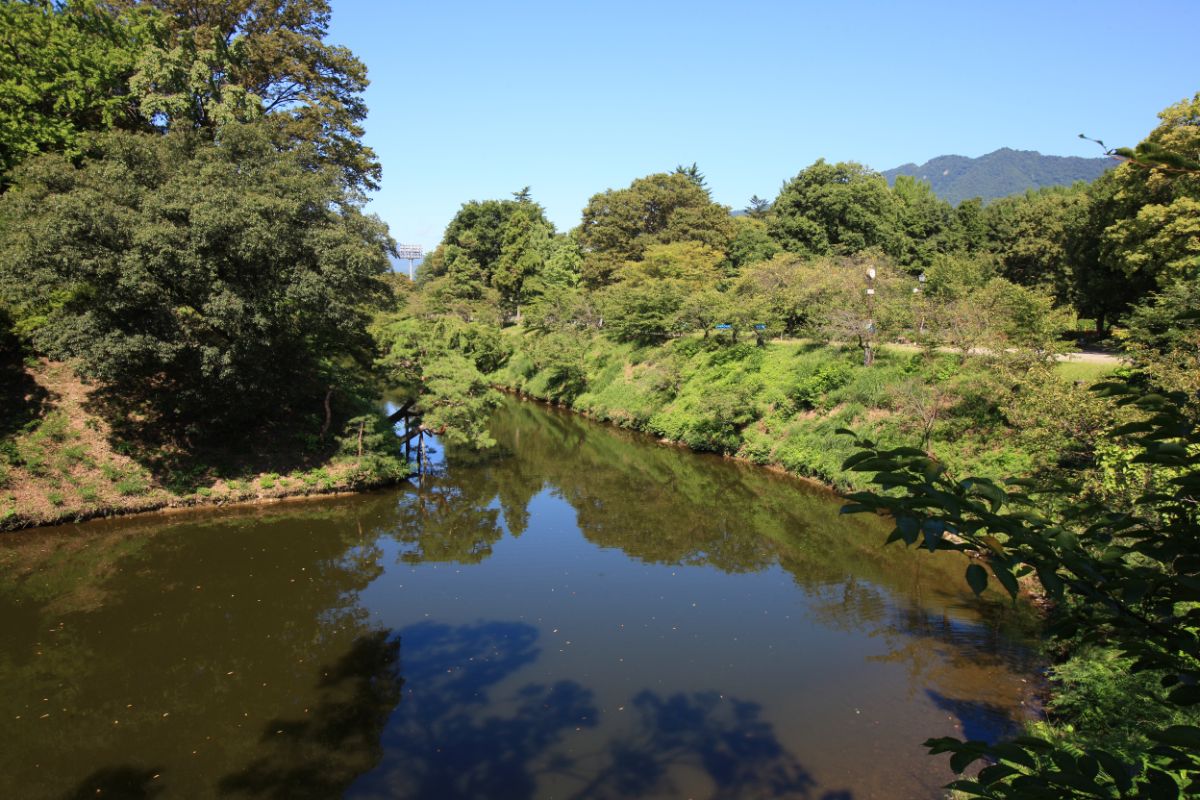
{"points": [[182, 221]]}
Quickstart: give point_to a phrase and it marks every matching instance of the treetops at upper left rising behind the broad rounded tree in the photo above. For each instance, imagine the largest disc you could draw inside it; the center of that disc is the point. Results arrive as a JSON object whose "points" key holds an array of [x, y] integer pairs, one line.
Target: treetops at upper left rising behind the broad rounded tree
{"points": [[170, 65]]}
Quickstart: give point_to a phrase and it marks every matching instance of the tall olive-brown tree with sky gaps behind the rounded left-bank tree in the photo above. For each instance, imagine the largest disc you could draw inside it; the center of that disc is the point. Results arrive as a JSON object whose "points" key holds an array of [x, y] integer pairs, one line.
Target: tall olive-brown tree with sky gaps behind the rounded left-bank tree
{"points": [[213, 62]]}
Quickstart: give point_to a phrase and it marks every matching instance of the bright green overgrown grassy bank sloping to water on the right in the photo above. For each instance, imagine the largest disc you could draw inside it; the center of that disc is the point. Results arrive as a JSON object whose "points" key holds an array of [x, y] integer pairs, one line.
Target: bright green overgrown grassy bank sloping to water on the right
{"points": [[783, 405]]}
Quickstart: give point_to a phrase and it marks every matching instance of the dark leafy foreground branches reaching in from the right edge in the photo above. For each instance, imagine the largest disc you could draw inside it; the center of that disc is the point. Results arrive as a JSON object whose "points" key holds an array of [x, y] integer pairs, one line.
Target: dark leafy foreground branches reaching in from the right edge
{"points": [[1127, 580]]}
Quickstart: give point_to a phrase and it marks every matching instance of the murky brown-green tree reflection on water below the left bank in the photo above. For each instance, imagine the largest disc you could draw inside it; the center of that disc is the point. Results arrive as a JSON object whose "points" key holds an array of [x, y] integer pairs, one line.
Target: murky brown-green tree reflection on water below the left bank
{"points": [[165, 649]]}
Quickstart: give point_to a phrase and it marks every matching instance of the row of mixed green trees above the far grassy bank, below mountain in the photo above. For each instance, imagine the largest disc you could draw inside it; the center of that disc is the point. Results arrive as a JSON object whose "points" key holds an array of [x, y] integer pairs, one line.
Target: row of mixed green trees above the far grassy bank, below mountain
{"points": [[659, 258]]}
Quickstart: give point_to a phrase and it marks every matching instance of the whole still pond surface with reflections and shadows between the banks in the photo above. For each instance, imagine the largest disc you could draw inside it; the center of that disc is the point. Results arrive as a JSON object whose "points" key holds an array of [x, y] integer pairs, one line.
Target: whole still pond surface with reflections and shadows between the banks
{"points": [[579, 615]]}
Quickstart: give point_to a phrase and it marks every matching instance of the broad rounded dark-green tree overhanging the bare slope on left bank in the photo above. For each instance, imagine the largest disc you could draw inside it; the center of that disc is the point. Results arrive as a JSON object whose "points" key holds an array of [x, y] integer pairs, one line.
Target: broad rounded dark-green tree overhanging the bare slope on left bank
{"points": [[212, 285]]}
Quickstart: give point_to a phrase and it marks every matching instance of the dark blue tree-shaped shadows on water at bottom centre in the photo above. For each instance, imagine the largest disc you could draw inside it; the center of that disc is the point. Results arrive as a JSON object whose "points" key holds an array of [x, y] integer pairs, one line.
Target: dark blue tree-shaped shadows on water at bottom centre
{"points": [[465, 731]]}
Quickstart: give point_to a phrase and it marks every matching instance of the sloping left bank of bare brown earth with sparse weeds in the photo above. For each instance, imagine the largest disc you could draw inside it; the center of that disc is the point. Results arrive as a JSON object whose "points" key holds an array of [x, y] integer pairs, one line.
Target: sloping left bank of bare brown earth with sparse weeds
{"points": [[63, 464]]}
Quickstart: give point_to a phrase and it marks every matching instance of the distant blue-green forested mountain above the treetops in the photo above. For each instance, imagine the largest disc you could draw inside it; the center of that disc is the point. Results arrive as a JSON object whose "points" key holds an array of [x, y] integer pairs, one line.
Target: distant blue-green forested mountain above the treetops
{"points": [[1001, 173]]}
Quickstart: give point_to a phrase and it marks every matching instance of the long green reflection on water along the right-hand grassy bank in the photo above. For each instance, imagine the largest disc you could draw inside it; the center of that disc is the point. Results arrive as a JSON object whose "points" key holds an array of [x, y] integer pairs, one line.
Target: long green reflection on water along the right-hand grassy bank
{"points": [[664, 506]]}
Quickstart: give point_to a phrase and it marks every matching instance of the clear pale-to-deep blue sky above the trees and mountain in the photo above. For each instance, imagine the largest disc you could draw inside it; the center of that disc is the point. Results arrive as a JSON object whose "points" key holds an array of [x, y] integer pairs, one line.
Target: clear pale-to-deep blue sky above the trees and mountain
{"points": [[477, 100]]}
